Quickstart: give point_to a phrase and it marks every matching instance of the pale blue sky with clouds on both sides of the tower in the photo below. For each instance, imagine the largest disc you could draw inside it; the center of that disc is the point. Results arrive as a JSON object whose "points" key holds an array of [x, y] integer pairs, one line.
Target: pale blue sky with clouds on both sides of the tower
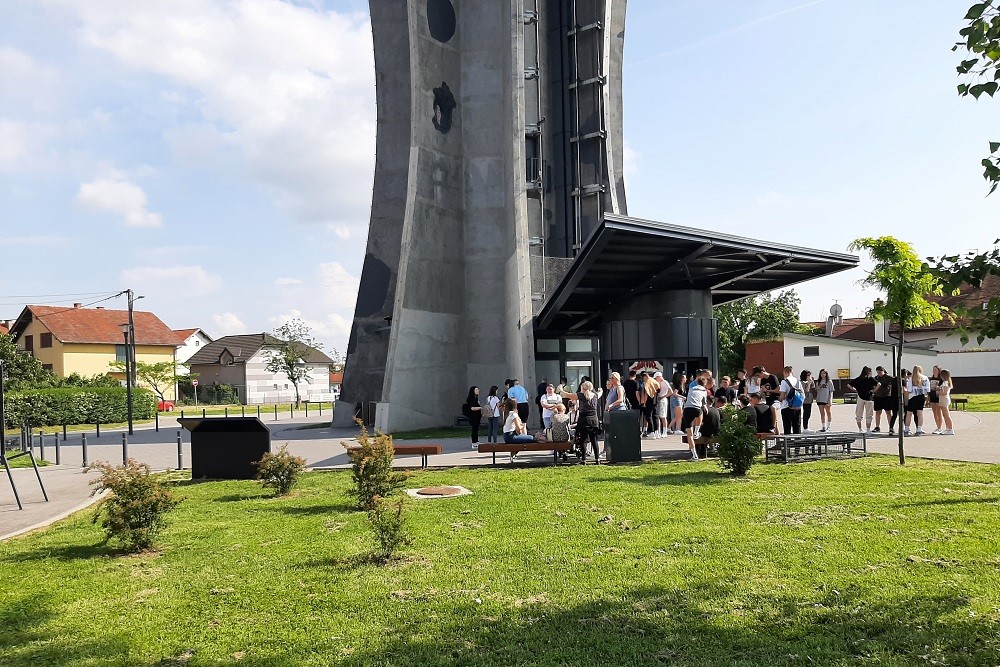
{"points": [[217, 156]]}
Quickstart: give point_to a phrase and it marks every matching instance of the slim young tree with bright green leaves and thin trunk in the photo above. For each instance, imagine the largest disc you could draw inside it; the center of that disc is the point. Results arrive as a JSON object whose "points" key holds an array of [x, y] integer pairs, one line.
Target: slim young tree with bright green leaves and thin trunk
{"points": [[906, 283]]}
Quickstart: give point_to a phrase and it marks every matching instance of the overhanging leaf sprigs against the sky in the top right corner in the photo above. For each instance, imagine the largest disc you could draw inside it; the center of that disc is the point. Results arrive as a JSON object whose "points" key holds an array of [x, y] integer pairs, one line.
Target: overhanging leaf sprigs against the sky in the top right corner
{"points": [[981, 41]]}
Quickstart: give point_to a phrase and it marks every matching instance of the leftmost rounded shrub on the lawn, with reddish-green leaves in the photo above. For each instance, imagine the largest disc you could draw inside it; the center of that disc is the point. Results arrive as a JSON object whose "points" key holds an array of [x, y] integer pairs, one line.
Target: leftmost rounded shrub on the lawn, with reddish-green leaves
{"points": [[134, 515]]}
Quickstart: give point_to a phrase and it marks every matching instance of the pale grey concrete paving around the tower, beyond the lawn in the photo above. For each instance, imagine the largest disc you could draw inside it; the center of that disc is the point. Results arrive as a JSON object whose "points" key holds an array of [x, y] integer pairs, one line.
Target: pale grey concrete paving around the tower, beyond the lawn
{"points": [[69, 488]]}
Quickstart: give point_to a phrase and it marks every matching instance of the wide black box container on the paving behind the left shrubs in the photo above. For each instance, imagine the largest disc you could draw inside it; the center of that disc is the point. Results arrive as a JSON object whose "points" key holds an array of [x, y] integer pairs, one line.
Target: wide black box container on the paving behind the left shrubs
{"points": [[226, 447]]}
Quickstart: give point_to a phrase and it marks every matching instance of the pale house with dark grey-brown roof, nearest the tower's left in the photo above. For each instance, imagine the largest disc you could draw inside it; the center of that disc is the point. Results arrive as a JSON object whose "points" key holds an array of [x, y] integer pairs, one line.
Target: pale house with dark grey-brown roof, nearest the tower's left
{"points": [[241, 361]]}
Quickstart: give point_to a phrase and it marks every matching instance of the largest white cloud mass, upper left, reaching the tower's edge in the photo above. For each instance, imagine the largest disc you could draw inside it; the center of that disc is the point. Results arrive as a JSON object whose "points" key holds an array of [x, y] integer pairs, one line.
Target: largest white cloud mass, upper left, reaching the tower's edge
{"points": [[289, 86]]}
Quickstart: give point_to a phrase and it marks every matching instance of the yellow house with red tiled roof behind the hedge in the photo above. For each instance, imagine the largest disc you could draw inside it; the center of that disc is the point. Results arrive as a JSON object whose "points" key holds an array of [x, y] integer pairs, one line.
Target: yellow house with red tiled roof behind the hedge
{"points": [[87, 341]]}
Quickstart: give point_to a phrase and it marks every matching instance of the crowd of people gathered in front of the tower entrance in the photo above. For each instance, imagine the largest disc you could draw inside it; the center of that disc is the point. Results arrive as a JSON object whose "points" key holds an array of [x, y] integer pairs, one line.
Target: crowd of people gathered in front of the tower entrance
{"points": [[690, 406]]}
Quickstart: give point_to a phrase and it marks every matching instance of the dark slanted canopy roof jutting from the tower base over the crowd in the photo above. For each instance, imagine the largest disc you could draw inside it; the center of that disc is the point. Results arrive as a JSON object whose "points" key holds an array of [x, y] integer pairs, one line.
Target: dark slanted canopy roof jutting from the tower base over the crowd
{"points": [[625, 257]]}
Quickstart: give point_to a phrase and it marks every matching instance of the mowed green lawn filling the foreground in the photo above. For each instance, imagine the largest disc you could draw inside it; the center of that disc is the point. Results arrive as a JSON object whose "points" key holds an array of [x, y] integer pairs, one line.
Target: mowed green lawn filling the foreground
{"points": [[857, 562]]}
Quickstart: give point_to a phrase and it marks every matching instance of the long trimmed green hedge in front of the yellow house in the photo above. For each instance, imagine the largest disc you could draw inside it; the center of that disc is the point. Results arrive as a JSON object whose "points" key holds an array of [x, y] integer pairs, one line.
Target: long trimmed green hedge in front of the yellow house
{"points": [[72, 405]]}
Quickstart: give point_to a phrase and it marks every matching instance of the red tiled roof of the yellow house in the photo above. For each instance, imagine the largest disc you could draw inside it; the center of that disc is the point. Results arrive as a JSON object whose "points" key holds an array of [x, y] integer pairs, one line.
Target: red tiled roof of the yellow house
{"points": [[98, 325]]}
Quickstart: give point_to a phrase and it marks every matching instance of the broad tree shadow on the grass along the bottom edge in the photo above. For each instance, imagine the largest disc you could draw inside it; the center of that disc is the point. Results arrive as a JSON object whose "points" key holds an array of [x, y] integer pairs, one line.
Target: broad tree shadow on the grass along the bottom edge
{"points": [[697, 626]]}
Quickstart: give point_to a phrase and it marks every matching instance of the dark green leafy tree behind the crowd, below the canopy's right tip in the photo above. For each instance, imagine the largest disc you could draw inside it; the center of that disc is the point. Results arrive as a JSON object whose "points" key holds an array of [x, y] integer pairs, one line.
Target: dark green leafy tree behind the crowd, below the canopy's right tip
{"points": [[754, 318]]}
